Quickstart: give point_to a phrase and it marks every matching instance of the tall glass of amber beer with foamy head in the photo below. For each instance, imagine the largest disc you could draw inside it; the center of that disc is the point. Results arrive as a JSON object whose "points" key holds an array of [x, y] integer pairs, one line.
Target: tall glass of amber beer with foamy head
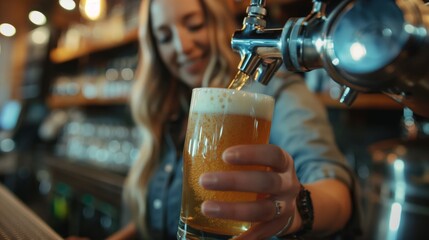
{"points": [[219, 118]]}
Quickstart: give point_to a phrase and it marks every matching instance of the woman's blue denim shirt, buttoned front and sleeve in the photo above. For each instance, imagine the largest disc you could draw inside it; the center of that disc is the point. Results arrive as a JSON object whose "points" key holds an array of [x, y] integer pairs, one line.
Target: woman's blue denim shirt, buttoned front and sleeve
{"points": [[299, 126]]}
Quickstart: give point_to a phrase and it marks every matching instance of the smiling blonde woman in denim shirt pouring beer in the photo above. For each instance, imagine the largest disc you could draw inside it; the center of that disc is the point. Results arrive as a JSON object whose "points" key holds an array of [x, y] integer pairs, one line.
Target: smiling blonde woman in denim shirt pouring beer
{"points": [[186, 44]]}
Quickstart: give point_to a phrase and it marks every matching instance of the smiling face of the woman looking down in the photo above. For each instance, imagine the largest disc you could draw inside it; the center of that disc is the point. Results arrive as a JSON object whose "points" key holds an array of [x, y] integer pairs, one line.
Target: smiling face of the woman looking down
{"points": [[182, 38]]}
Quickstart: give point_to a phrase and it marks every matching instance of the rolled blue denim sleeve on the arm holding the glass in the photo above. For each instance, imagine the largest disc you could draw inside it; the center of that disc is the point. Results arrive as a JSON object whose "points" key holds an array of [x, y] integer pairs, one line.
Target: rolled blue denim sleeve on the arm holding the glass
{"points": [[301, 127]]}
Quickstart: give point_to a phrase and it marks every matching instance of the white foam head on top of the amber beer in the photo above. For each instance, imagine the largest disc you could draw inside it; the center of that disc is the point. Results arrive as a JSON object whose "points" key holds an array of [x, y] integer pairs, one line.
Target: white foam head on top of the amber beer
{"points": [[230, 101]]}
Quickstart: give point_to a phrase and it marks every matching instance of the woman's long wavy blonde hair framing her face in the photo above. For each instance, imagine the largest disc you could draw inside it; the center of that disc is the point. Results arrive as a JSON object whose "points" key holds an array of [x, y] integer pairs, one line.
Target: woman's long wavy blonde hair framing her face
{"points": [[155, 90]]}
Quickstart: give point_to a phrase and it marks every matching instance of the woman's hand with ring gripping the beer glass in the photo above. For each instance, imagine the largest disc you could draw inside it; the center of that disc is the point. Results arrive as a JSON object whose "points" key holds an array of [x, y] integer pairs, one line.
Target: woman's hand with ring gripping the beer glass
{"points": [[281, 186]]}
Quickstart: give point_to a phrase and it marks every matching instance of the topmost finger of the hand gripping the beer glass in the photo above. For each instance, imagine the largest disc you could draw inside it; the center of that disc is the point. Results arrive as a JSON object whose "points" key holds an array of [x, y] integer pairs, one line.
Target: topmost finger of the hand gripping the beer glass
{"points": [[265, 155]]}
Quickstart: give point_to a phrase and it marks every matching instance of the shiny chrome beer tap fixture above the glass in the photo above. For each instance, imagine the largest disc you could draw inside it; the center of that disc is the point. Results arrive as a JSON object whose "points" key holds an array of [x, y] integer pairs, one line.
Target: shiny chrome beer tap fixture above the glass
{"points": [[364, 45]]}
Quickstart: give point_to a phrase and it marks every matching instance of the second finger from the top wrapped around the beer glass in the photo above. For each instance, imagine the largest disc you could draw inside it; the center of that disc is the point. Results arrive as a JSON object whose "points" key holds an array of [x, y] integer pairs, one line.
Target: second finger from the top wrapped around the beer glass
{"points": [[243, 181]]}
